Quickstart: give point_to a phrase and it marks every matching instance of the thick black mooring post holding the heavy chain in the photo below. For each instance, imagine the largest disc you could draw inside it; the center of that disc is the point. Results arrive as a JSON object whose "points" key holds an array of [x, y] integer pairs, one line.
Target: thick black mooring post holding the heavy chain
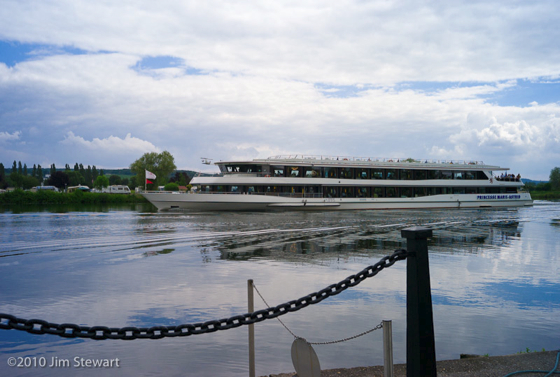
{"points": [[420, 344]]}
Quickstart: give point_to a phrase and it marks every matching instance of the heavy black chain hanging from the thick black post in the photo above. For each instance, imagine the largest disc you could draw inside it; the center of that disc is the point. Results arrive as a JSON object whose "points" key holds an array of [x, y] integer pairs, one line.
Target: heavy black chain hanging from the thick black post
{"points": [[69, 330]]}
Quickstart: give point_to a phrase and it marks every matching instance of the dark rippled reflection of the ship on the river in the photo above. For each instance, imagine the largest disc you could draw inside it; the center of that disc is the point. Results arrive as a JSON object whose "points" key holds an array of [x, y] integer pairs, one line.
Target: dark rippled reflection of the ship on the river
{"points": [[473, 237]]}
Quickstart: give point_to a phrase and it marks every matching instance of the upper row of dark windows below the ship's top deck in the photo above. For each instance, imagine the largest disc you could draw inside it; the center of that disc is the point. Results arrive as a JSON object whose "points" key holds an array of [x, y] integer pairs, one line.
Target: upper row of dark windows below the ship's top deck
{"points": [[352, 173]]}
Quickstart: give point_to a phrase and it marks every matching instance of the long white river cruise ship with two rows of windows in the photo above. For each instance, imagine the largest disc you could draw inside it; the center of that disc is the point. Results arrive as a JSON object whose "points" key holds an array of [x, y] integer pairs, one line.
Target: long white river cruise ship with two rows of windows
{"points": [[304, 182]]}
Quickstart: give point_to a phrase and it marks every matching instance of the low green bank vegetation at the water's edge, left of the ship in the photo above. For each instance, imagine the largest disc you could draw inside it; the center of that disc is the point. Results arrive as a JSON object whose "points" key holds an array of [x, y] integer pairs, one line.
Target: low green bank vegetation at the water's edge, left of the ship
{"points": [[19, 197]]}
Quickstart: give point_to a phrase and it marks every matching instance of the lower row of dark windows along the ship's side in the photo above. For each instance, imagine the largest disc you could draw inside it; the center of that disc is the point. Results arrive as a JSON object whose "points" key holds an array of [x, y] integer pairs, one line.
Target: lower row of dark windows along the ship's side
{"points": [[354, 192]]}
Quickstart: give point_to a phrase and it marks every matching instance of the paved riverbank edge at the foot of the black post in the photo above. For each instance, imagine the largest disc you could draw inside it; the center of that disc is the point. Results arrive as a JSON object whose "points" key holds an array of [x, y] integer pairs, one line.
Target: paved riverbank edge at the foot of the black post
{"points": [[493, 366]]}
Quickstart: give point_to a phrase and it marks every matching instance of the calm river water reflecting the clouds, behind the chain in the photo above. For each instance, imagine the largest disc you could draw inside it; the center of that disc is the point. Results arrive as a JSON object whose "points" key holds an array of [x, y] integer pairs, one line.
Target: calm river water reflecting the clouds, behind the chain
{"points": [[495, 278]]}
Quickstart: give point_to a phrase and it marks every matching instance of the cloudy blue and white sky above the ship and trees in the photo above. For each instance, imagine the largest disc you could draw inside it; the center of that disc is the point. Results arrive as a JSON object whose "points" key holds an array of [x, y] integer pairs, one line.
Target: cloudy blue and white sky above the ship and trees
{"points": [[103, 82]]}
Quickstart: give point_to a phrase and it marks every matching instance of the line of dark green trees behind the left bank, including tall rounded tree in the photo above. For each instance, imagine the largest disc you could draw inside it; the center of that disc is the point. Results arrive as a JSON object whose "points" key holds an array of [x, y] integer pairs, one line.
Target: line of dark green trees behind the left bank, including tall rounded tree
{"points": [[161, 164]]}
